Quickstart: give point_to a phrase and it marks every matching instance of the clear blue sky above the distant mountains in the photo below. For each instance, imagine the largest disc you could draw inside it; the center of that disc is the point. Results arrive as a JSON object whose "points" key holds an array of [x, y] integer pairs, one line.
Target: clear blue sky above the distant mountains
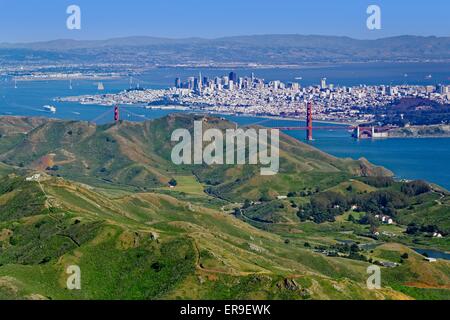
{"points": [[36, 20]]}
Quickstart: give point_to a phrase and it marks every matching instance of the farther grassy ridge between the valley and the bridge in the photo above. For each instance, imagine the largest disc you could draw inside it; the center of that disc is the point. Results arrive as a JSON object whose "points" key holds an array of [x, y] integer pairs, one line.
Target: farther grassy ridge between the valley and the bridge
{"points": [[138, 155]]}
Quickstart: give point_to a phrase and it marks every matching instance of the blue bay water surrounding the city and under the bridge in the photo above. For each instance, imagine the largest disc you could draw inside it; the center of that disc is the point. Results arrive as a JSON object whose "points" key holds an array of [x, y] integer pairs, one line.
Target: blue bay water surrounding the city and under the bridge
{"points": [[408, 158]]}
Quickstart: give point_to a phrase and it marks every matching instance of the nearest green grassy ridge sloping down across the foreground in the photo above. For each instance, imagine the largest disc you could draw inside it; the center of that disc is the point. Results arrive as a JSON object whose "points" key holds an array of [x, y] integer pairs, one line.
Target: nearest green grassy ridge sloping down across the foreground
{"points": [[153, 246]]}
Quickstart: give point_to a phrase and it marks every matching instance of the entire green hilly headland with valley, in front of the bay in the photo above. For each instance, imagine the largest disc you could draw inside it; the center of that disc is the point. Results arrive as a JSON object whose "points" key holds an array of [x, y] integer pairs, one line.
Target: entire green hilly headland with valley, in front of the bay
{"points": [[98, 197]]}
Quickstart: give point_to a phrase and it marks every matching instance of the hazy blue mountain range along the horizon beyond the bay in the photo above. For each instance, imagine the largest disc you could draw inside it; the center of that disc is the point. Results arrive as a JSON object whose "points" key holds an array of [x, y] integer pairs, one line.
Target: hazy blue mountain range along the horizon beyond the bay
{"points": [[256, 49]]}
